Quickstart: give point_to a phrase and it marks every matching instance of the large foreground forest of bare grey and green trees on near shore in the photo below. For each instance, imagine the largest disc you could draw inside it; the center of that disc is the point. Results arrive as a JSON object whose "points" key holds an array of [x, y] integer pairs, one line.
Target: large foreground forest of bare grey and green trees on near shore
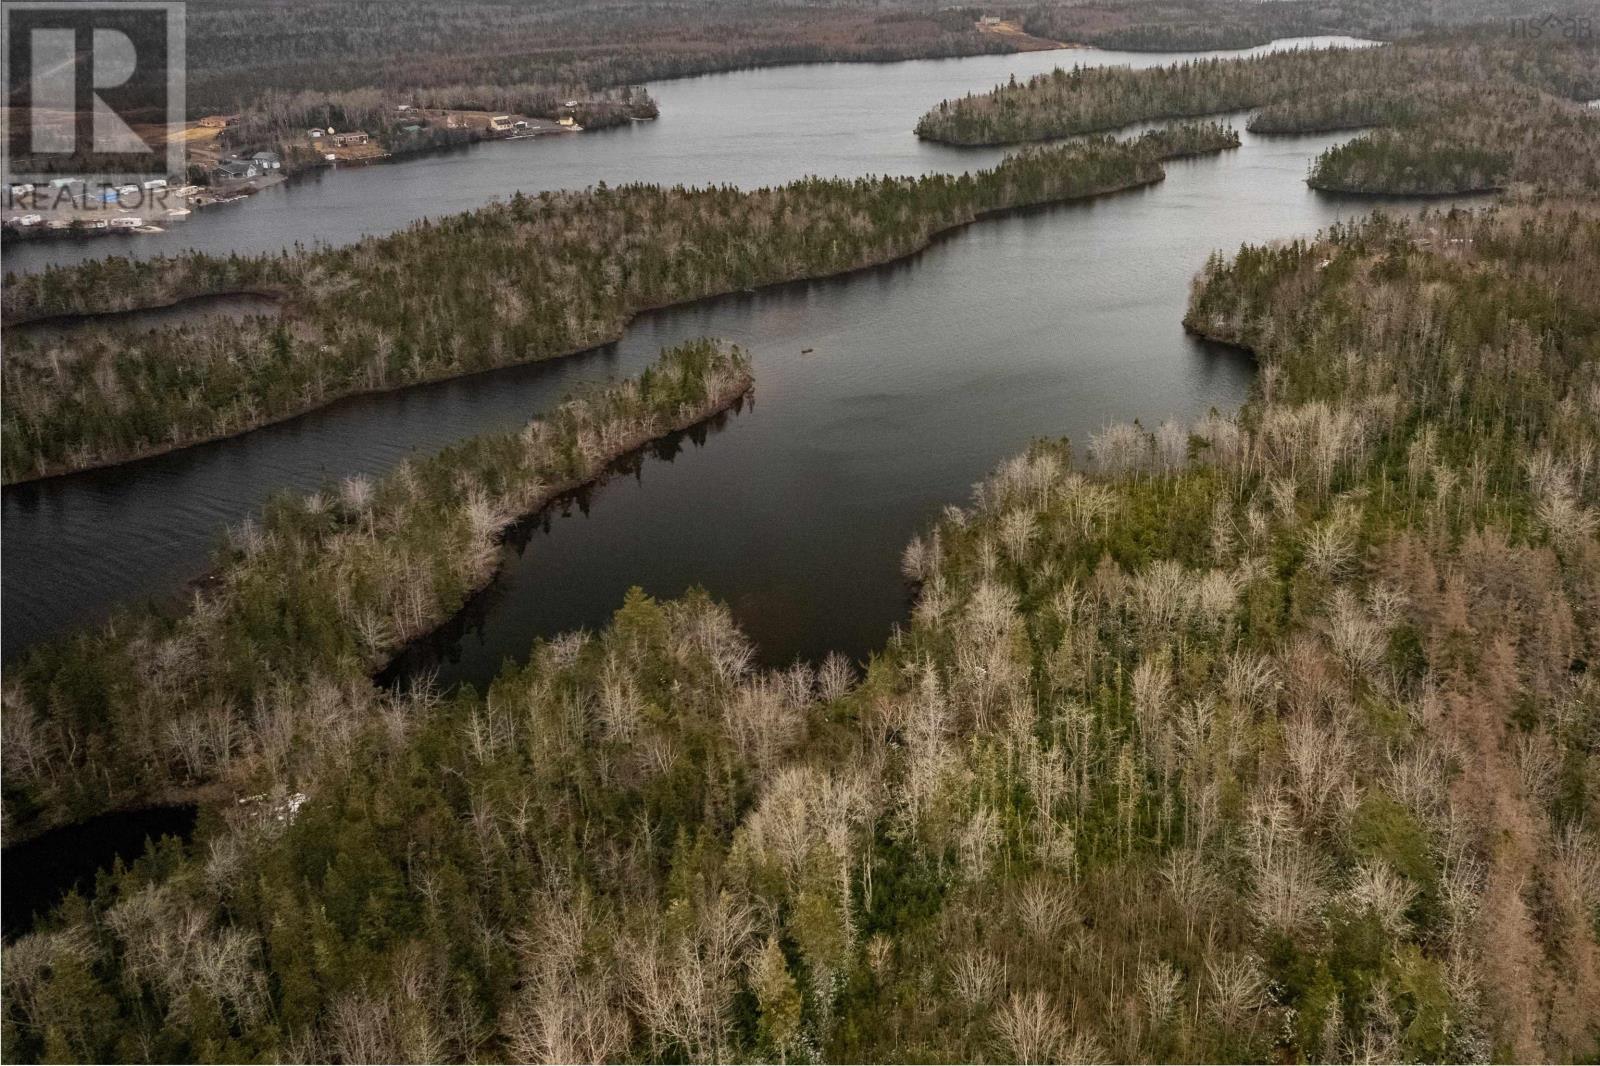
{"points": [[1270, 737]]}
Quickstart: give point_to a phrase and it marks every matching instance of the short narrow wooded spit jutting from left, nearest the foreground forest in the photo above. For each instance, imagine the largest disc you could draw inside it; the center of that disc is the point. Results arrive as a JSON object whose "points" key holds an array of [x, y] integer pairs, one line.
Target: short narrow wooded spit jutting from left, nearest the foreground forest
{"points": [[310, 601]]}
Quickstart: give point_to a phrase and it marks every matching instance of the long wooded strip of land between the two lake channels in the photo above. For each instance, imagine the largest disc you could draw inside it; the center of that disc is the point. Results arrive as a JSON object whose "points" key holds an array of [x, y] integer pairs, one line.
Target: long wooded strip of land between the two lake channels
{"points": [[529, 279]]}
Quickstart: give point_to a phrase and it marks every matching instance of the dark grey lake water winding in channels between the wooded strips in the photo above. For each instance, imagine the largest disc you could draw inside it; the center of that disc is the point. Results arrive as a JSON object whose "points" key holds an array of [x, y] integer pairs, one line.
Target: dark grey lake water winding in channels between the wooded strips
{"points": [[924, 374]]}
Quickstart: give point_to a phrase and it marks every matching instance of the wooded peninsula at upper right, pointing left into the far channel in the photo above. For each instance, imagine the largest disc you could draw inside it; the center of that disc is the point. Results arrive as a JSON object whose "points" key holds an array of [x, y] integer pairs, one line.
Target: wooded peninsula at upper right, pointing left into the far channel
{"points": [[1465, 113]]}
